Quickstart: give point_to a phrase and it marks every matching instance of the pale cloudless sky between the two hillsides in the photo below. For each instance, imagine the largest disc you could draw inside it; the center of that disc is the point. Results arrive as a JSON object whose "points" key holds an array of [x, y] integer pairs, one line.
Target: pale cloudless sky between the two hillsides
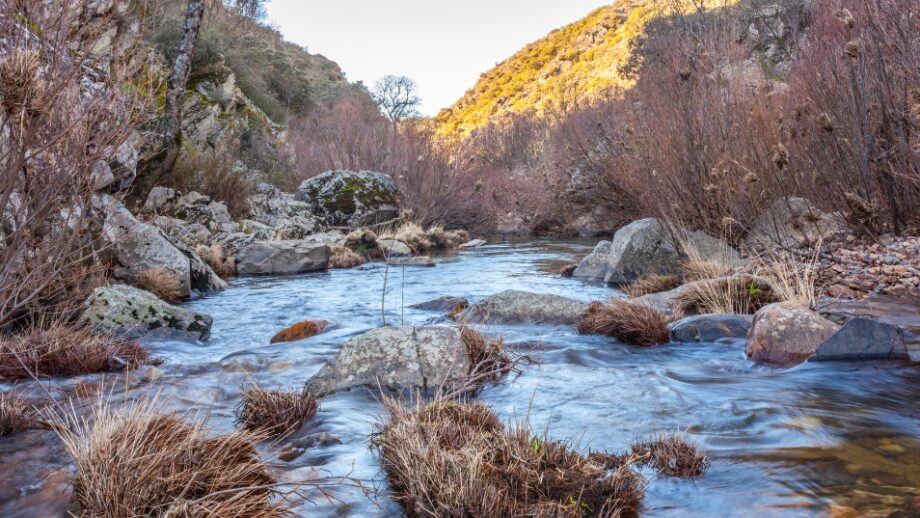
{"points": [[444, 45]]}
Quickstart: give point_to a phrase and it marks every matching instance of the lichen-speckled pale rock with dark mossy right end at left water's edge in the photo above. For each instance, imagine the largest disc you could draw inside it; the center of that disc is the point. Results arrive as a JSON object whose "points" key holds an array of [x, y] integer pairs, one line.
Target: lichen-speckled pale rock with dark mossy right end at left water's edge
{"points": [[129, 311]]}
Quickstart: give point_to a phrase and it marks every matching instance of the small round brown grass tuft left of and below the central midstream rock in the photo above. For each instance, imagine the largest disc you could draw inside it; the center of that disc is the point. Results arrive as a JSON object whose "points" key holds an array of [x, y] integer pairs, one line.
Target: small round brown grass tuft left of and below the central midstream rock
{"points": [[275, 413]]}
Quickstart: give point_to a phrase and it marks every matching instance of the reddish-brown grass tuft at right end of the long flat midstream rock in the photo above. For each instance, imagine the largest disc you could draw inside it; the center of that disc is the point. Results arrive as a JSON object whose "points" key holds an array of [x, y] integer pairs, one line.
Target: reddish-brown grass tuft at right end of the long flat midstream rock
{"points": [[629, 322]]}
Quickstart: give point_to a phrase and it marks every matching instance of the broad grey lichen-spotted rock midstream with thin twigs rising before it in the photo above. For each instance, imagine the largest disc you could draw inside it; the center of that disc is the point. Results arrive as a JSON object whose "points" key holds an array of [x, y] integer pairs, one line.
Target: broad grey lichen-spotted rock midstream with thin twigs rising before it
{"points": [[399, 357]]}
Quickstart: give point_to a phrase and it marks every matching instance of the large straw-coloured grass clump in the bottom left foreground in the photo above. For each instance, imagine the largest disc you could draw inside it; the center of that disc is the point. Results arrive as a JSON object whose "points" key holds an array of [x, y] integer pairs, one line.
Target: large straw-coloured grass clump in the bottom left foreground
{"points": [[144, 461]]}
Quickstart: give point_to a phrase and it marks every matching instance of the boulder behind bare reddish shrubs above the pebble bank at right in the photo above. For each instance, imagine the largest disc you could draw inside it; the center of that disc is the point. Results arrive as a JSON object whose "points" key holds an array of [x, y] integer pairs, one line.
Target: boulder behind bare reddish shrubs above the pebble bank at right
{"points": [[794, 222]]}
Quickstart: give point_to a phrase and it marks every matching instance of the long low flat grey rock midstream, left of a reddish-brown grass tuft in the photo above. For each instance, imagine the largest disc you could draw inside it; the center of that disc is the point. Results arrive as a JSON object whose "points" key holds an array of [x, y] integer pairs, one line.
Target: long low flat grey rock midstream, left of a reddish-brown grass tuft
{"points": [[523, 307]]}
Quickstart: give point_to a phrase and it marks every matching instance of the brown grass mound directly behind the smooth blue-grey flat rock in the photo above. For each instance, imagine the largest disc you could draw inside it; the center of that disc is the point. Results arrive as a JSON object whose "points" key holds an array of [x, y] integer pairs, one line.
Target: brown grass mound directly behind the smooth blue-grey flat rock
{"points": [[738, 294]]}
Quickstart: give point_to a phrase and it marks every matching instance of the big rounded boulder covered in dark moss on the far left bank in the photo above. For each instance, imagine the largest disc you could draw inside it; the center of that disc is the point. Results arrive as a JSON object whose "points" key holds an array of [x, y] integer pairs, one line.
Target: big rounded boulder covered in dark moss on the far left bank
{"points": [[351, 198]]}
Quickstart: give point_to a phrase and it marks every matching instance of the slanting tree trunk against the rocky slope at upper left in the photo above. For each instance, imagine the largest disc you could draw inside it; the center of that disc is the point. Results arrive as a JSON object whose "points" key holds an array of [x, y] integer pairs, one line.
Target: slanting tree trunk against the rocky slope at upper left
{"points": [[175, 88]]}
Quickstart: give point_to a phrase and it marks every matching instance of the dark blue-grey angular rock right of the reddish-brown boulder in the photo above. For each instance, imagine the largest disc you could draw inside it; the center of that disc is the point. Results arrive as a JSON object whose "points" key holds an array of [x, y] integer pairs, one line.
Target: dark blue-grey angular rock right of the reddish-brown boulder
{"points": [[864, 339]]}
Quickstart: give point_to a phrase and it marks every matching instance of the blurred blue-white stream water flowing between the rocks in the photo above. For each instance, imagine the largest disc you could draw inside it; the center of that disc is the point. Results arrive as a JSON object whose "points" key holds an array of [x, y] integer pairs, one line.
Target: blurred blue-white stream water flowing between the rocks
{"points": [[819, 439]]}
